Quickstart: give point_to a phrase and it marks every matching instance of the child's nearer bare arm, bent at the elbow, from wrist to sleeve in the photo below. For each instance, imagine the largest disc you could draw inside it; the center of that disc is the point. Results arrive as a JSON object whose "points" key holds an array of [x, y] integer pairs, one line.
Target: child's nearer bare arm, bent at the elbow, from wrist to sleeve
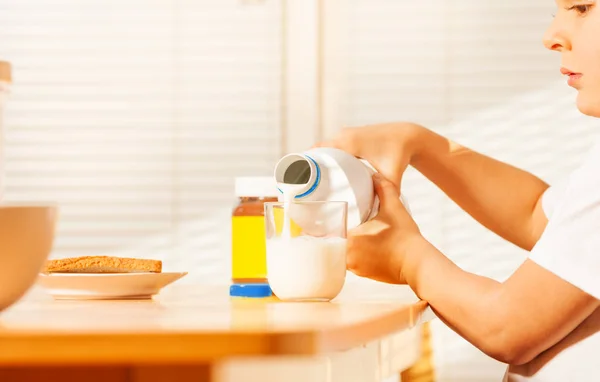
{"points": [[513, 321]]}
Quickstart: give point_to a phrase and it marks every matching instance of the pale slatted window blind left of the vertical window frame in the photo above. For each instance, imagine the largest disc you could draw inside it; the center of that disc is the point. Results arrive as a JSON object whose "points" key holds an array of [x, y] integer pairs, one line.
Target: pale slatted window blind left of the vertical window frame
{"points": [[135, 116]]}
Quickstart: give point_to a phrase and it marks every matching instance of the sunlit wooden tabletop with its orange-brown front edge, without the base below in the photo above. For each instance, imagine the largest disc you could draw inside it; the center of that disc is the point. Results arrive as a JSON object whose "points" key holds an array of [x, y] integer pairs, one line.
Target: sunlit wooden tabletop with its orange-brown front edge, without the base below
{"points": [[195, 324]]}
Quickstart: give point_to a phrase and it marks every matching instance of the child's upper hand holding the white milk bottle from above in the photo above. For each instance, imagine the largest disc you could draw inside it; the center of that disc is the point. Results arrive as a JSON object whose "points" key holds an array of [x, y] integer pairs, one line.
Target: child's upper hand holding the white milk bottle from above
{"points": [[387, 147]]}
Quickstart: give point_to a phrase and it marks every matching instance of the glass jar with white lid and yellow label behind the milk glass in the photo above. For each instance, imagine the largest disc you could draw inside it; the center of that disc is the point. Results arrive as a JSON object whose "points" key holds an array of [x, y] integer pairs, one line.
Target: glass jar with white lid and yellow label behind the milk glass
{"points": [[249, 253]]}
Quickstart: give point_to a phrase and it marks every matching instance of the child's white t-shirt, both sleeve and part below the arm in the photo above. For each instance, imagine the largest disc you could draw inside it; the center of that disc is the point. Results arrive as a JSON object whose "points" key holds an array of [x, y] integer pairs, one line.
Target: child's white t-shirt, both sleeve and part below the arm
{"points": [[570, 248]]}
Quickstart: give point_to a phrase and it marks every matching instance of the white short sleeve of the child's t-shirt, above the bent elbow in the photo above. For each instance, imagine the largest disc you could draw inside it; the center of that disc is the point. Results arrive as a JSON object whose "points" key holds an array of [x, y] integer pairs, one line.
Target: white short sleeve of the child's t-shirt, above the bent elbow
{"points": [[570, 245]]}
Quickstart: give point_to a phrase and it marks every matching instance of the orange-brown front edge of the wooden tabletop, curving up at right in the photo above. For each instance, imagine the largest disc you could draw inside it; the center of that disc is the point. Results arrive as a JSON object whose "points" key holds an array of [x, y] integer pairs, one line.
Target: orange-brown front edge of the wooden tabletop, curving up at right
{"points": [[22, 349]]}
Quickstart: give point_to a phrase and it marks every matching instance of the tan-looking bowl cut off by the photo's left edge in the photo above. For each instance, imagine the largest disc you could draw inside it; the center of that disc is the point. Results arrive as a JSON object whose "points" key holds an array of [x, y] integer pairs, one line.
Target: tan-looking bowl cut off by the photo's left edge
{"points": [[26, 238]]}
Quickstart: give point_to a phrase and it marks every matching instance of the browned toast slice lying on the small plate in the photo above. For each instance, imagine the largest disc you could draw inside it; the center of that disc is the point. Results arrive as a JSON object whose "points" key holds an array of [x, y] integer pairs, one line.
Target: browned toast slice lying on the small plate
{"points": [[102, 264]]}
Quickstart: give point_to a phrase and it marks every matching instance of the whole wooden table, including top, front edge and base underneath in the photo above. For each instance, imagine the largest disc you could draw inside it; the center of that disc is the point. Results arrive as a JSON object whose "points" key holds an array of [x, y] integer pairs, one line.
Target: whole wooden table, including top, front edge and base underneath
{"points": [[198, 333]]}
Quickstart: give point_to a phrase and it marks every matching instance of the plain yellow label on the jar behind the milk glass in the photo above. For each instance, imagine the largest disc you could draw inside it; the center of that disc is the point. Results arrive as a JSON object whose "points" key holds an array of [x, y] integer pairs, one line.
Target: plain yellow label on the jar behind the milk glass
{"points": [[249, 250]]}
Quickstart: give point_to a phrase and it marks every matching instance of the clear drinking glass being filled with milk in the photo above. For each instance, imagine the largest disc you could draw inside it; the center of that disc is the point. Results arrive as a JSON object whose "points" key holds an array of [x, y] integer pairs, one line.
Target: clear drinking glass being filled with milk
{"points": [[306, 249]]}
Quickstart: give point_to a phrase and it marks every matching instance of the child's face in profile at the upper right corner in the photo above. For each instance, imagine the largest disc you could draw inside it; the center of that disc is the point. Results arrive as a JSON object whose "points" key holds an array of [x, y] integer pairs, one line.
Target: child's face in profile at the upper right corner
{"points": [[575, 33]]}
